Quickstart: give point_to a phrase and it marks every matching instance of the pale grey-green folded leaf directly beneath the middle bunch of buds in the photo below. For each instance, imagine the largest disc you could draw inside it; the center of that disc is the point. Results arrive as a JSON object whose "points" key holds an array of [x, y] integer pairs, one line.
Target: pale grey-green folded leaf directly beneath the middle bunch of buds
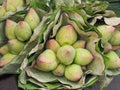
{"points": [[46, 77]]}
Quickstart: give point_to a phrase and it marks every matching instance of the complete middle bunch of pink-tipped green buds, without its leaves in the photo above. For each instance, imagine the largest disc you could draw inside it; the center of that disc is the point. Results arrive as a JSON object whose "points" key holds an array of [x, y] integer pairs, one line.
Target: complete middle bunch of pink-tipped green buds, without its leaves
{"points": [[65, 55]]}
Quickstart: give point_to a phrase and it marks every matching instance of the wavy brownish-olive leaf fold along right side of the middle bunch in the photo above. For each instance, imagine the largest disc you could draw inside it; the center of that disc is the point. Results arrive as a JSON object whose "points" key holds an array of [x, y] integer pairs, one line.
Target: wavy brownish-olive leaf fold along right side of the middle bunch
{"points": [[97, 66]]}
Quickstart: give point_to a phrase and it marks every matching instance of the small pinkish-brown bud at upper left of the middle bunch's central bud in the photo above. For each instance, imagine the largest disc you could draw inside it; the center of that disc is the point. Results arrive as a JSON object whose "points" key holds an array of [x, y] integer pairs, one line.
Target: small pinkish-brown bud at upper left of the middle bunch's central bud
{"points": [[53, 45]]}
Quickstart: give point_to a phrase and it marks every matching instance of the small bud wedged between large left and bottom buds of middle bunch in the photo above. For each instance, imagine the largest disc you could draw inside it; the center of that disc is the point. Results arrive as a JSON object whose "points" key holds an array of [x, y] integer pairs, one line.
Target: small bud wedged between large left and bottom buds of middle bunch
{"points": [[59, 71]]}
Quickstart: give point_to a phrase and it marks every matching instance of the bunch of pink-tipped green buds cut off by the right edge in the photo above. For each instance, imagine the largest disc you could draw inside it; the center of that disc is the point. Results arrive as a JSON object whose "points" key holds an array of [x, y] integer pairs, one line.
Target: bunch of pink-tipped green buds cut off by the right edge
{"points": [[110, 41]]}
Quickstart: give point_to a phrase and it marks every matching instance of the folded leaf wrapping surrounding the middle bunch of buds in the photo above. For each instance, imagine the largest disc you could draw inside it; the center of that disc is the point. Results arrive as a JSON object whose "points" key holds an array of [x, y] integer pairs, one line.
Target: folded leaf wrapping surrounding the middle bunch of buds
{"points": [[47, 80]]}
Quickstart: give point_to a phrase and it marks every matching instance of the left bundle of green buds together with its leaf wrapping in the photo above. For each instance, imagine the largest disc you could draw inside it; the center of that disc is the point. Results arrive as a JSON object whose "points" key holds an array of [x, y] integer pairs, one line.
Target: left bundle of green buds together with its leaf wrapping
{"points": [[17, 33]]}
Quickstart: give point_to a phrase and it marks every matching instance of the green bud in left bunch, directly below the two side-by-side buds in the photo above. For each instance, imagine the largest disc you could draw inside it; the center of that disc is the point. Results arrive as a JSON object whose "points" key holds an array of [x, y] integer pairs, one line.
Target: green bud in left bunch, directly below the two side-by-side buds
{"points": [[15, 46]]}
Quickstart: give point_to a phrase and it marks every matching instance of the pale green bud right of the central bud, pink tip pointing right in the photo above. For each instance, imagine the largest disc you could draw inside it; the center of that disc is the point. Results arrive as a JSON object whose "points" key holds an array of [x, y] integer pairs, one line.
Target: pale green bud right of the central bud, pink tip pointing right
{"points": [[83, 56]]}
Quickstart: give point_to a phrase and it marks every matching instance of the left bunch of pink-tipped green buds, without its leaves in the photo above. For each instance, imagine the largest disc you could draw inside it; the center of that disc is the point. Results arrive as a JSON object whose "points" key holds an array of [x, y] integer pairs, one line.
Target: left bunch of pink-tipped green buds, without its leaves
{"points": [[18, 34]]}
